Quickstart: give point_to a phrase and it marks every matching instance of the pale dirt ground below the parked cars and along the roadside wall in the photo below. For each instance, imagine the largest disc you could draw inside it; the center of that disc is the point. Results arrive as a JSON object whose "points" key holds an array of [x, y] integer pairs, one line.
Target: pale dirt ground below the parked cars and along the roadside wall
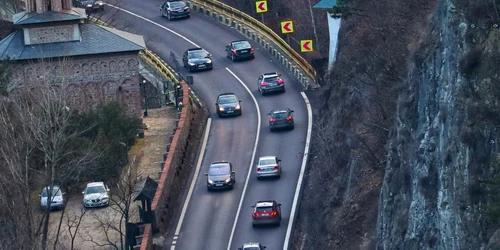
{"points": [[92, 234]]}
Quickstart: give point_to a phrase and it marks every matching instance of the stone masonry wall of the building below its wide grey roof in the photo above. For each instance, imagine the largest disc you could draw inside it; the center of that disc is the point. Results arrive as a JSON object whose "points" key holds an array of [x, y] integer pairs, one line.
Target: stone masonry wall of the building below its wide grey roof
{"points": [[88, 81]]}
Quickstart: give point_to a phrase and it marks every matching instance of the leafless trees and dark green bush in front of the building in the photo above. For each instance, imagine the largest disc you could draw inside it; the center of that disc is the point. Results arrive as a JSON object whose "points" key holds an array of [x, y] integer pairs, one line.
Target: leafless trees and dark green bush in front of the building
{"points": [[47, 141]]}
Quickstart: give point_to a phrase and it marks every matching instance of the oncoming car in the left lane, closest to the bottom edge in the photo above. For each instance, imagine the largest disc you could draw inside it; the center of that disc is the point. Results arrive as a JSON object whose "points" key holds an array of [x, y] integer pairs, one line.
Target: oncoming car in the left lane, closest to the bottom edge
{"points": [[220, 176]]}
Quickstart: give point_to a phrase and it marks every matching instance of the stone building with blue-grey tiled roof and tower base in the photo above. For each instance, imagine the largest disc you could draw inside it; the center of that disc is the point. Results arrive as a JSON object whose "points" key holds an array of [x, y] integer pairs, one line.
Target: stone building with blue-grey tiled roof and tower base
{"points": [[93, 63]]}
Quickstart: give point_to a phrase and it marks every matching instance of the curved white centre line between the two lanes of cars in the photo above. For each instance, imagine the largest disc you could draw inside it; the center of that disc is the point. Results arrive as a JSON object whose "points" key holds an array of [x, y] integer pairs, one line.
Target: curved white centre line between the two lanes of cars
{"points": [[251, 162]]}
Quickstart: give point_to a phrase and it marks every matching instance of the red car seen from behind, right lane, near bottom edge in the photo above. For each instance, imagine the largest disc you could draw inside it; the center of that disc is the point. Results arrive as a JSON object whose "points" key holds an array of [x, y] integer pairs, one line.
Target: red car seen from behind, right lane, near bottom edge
{"points": [[267, 212]]}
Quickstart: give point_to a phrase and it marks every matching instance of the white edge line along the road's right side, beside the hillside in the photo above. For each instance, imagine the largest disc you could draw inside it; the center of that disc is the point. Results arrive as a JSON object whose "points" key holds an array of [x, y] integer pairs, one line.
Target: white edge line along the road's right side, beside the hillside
{"points": [[301, 174]]}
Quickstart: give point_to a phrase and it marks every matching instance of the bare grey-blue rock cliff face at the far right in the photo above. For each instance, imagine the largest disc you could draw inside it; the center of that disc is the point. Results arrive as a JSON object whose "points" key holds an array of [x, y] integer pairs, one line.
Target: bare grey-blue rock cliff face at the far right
{"points": [[434, 194]]}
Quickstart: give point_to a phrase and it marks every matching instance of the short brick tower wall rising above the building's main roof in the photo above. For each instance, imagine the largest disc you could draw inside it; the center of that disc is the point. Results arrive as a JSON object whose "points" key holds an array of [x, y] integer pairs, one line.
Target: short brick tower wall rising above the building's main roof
{"points": [[53, 34]]}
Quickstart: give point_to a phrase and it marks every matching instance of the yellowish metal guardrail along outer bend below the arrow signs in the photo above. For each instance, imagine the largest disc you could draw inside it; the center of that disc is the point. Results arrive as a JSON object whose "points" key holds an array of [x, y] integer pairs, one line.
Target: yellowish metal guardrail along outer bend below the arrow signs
{"points": [[263, 29]]}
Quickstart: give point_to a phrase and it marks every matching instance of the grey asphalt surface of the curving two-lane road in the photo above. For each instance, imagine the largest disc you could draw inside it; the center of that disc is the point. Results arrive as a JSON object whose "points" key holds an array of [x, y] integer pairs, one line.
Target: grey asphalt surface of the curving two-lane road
{"points": [[210, 217]]}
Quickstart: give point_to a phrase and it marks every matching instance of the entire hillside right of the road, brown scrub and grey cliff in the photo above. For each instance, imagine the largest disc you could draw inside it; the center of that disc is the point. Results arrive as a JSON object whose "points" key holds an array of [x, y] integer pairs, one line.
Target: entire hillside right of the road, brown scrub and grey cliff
{"points": [[407, 156]]}
